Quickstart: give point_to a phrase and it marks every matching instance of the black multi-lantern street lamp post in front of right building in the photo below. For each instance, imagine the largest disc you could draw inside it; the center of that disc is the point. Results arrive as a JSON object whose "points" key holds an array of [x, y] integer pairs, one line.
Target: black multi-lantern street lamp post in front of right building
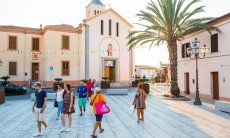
{"points": [[195, 52]]}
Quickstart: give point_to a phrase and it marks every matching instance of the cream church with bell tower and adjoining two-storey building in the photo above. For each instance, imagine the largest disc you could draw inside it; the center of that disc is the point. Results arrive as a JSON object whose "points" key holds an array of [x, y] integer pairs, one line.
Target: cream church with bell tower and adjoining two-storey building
{"points": [[97, 48]]}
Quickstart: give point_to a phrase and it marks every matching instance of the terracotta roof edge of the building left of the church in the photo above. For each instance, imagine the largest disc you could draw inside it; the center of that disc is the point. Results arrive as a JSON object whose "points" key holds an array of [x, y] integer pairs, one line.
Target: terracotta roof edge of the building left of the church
{"points": [[40, 31]]}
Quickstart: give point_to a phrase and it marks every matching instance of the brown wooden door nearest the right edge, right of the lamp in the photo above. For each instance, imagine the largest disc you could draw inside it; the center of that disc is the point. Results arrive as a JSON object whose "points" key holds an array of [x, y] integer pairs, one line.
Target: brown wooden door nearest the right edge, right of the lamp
{"points": [[215, 85]]}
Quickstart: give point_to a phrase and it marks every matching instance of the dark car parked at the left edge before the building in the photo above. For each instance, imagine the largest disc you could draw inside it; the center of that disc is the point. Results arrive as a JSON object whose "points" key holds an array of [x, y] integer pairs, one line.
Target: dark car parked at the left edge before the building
{"points": [[11, 88]]}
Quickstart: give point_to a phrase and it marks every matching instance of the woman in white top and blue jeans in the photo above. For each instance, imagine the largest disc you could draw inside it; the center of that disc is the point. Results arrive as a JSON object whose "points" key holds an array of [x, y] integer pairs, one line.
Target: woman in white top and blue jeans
{"points": [[59, 99]]}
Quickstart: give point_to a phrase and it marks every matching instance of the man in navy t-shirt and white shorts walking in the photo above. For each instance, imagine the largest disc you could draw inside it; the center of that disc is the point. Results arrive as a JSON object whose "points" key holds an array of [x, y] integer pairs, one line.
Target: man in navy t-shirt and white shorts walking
{"points": [[39, 108]]}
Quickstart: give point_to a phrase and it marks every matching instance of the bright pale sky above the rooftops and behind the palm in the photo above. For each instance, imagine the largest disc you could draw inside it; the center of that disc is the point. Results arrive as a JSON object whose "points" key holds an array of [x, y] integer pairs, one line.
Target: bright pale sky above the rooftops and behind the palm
{"points": [[32, 13]]}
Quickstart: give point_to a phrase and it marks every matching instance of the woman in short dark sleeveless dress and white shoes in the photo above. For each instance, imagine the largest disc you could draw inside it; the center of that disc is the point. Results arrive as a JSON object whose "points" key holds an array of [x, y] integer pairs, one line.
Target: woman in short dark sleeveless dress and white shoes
{"points": [[67, 108]]}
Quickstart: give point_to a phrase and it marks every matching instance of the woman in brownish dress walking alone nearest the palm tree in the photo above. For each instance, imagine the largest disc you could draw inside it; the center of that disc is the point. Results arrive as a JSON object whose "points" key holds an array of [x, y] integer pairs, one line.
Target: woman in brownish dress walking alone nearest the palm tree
{"points": [[139, 102]]}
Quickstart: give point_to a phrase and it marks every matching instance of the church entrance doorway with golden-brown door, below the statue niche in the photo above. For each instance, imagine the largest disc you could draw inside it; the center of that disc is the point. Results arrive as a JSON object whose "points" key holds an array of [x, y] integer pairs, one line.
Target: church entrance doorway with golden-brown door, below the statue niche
{"points": [[110, 70]]}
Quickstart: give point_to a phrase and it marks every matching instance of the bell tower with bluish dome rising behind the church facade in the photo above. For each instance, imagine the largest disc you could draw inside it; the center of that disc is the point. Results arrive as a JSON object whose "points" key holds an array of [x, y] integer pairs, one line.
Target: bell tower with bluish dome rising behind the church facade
{"points": [[95, 7]]}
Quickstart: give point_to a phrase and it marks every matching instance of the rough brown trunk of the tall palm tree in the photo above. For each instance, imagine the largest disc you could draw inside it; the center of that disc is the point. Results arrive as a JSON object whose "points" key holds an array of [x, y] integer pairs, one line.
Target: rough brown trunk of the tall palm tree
{"points": [[172, 47]]}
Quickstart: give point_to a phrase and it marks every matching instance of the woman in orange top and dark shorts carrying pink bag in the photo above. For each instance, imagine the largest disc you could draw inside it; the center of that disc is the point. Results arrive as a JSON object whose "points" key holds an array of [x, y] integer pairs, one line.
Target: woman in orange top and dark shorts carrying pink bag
{"points": [[96, 98]]}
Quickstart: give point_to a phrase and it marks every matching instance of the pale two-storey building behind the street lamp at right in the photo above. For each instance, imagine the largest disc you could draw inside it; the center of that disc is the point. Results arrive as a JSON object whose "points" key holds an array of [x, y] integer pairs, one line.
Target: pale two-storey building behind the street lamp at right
{"points": [[214, 69]]}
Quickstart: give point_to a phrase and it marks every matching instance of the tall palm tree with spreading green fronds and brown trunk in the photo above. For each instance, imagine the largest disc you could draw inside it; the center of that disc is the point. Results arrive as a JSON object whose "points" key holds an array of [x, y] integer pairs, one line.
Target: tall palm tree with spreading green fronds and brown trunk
{"points": [[167, 21]]}
